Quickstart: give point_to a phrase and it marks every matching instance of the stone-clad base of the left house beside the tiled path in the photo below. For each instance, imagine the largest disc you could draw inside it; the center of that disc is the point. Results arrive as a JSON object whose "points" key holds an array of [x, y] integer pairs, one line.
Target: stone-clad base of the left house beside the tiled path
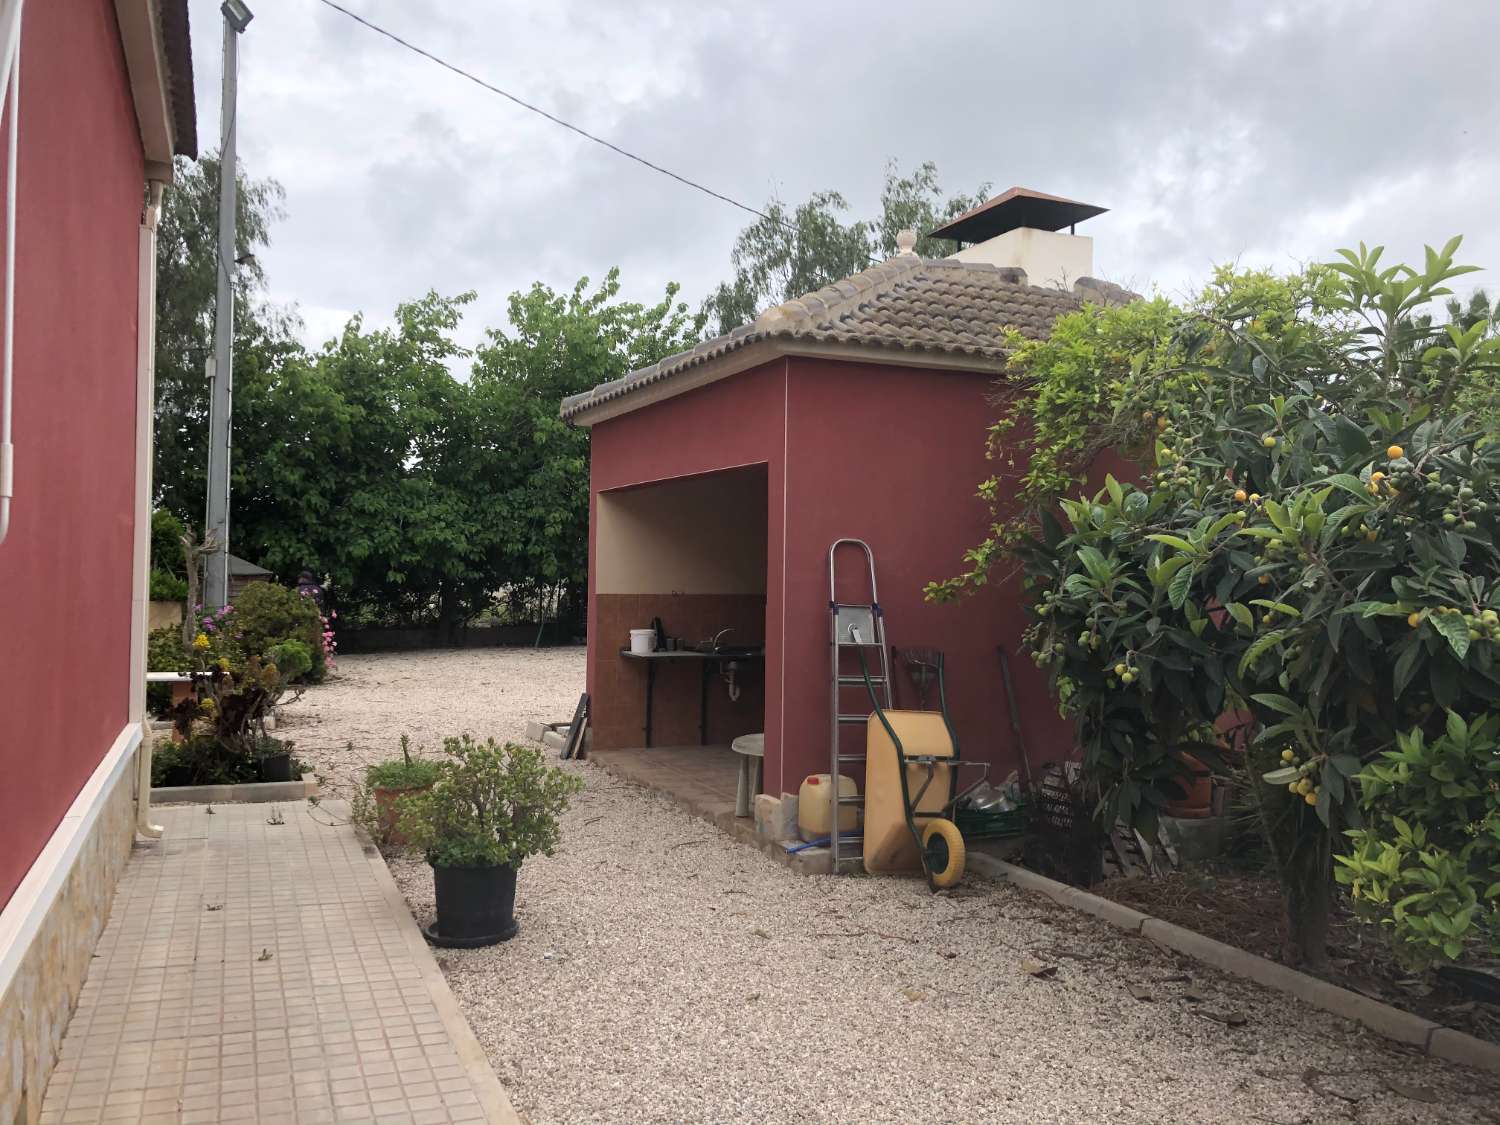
{"points": [[35, 1009]]}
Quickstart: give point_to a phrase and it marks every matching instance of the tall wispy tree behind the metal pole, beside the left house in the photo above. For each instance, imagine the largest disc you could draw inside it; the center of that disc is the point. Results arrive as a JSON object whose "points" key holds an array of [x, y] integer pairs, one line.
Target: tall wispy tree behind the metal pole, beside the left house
{"points": [[187, 262]]}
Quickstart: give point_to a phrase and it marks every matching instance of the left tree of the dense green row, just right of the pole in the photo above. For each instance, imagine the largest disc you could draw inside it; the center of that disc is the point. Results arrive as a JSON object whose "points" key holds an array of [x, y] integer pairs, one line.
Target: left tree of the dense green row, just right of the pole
{"points": [[343, 469]]}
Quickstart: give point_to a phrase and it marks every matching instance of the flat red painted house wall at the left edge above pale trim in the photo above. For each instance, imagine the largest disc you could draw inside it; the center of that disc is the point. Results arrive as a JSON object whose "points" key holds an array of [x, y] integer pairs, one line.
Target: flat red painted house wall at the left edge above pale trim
{"points": [[67, 566]]}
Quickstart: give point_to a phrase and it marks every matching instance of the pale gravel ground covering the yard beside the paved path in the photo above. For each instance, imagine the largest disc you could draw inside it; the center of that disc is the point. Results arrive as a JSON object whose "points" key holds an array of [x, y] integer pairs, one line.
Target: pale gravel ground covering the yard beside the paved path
{"points": [[665, 974]]}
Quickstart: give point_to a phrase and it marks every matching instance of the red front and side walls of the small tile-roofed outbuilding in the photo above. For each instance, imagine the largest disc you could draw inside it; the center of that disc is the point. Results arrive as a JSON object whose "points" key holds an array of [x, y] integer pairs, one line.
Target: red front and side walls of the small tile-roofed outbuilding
{"points": [[878, 452]]}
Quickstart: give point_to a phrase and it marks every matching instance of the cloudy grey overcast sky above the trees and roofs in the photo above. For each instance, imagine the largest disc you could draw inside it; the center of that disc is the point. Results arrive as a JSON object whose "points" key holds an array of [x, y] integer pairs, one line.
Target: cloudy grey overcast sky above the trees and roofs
{"points": [[1268, 134]]}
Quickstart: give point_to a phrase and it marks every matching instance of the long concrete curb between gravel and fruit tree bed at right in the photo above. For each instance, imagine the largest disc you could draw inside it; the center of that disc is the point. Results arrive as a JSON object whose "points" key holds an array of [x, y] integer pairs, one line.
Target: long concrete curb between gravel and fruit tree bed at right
{"points": [[1432, 1039]]}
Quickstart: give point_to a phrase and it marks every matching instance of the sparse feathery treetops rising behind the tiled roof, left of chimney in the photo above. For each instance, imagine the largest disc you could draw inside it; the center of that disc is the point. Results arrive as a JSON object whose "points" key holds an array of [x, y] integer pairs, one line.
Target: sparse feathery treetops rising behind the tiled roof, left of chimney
{"points": [[800, 250]]}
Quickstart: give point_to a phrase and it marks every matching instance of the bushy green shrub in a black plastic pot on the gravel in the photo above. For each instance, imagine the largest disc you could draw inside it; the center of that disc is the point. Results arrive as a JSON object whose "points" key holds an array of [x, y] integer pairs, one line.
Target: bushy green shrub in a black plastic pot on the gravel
{"points": [[490, 808]]}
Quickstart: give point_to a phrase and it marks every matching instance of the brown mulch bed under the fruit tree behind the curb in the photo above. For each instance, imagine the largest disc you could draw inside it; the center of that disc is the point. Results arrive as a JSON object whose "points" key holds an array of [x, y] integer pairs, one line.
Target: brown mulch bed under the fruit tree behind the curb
{"points": [[1246, 911]]}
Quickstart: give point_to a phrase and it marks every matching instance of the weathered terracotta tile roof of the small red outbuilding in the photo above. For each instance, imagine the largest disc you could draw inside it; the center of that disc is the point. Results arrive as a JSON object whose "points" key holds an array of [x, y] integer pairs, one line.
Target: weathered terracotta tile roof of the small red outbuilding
{"points": [[938, 307]]}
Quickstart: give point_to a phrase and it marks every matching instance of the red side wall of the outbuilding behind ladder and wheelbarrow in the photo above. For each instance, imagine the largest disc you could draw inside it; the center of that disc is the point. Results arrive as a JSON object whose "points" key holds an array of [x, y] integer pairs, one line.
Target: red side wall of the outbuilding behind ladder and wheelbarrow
{"points": [[893, 457]]}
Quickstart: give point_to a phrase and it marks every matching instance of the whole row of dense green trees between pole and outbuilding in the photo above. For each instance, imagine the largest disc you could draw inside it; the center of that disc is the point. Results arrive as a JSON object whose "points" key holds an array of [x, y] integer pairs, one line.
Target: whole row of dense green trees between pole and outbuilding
{"points": [[421, 496]]}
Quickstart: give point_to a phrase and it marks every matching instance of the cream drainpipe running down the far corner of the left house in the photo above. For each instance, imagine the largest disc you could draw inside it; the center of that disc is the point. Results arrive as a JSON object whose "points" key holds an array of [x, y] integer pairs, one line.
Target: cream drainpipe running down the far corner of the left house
{"points": [[145, 427]]}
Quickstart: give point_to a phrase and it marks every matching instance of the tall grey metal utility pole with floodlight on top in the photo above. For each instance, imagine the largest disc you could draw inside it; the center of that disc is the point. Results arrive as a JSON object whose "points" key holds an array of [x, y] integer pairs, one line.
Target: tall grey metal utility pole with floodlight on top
{"points": [[221, 385]]}
